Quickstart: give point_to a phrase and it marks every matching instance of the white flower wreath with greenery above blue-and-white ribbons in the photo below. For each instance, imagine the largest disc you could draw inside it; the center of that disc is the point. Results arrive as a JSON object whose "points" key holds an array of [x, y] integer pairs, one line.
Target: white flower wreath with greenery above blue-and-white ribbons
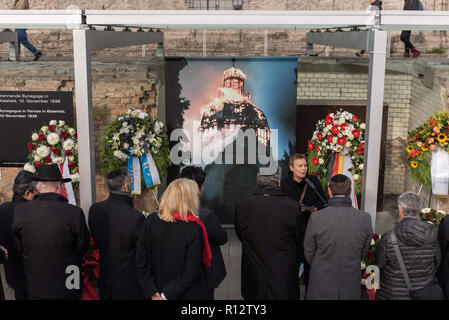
{"points": [[135, 133]]}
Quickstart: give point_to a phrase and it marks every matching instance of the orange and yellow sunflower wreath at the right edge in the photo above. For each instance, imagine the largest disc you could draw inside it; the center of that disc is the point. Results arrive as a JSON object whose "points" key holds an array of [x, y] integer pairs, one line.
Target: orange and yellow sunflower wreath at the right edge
{"points": [[427, 137]]}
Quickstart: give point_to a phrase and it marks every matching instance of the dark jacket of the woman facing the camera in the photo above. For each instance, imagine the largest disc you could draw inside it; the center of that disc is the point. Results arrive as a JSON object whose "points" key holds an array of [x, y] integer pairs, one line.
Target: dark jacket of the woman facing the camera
{"points": [[294, 189]]}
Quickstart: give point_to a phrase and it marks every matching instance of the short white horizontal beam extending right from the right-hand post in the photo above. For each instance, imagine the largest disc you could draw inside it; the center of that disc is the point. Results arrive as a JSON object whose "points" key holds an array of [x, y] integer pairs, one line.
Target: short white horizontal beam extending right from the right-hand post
{"points": [[414, 20]]}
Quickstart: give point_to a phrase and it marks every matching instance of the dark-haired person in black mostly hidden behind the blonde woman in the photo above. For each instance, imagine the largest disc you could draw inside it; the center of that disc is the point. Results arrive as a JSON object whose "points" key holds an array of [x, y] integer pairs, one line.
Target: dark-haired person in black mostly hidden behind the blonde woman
{"points": [[216, 234]]}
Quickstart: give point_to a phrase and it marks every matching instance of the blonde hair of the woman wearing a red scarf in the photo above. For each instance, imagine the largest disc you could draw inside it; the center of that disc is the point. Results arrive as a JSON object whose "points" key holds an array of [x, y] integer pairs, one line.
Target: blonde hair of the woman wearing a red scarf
{"points": [[180, 196]]}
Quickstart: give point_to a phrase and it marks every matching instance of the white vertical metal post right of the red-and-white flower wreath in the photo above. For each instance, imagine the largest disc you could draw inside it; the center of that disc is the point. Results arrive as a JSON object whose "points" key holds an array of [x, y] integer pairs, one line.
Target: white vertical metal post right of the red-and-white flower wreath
{"points": [[376, 79]]}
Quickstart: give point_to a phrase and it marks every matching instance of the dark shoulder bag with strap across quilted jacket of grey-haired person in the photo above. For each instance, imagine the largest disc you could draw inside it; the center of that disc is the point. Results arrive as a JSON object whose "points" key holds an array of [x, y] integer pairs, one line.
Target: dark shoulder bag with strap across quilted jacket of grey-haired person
{"points": [[432, 292]]}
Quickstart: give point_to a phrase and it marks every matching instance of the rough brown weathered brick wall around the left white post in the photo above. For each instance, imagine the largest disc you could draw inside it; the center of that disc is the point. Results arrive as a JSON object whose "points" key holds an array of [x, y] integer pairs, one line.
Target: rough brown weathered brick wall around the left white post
{"points": [[116, 88]]}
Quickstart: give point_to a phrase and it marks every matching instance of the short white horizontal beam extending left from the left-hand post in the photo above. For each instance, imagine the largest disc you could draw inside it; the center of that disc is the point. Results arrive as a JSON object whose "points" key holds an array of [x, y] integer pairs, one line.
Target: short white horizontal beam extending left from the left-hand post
{"points": [[41, 19]]}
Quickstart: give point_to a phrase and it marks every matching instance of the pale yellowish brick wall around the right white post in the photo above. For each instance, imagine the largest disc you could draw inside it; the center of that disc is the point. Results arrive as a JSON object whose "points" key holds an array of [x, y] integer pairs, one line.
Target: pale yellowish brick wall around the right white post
{"points": [[353, 86]]}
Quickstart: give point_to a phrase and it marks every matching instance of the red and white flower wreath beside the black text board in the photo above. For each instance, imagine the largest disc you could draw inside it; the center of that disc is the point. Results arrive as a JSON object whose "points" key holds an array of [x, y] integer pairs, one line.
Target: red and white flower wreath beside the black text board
{"points": [[53, 143]]}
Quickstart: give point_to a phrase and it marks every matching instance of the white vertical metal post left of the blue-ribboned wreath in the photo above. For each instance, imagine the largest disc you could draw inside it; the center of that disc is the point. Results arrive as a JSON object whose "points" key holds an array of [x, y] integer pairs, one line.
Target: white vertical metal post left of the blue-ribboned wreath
{"points": [[84, 118]]}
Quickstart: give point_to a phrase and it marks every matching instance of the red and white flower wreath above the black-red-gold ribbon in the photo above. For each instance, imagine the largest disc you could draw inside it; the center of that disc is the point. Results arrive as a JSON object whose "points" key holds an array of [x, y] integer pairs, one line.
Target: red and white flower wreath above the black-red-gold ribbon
{"points": [[337, 132]]}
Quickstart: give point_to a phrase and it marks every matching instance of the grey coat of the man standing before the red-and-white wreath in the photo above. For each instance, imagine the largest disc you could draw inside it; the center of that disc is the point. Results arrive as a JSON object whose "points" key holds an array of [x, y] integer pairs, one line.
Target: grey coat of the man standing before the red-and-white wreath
{"points": [[336, 240]]}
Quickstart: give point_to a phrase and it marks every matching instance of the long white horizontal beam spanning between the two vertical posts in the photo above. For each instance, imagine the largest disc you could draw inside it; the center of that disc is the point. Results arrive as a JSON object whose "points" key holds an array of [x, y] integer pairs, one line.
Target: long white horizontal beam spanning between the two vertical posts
{"points": [[229, 19]]}
